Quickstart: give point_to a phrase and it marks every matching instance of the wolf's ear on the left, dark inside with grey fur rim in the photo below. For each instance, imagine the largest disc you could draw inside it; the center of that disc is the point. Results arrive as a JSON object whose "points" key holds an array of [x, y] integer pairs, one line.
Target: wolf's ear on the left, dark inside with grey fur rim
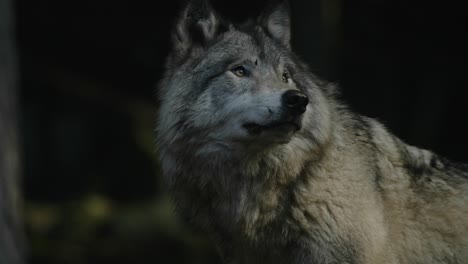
{"points": [[197, 24]]}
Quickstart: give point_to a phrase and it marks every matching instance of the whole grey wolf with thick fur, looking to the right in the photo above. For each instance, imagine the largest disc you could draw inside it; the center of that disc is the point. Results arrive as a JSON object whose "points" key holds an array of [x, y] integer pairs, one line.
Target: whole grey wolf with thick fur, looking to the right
{"points": [[261, 155]]}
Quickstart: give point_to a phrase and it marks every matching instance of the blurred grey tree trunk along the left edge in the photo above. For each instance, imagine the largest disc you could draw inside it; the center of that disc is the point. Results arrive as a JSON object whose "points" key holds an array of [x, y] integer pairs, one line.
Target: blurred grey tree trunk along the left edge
{"points": [[10, 227]]}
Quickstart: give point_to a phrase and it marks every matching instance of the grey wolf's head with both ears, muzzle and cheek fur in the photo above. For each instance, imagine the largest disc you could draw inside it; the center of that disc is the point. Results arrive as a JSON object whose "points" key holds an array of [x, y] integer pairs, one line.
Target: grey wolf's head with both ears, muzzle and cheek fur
{"points": [[237, 88]]}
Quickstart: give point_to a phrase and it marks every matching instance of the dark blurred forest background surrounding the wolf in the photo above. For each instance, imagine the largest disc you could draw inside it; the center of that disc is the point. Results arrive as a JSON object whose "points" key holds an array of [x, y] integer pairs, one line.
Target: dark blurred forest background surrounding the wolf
{"points": [[87, 71]]}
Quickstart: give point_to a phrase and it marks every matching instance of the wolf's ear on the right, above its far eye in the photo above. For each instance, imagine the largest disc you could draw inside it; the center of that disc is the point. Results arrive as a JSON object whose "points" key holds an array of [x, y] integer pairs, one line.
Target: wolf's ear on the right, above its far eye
{"points": [[277, 23]]}
